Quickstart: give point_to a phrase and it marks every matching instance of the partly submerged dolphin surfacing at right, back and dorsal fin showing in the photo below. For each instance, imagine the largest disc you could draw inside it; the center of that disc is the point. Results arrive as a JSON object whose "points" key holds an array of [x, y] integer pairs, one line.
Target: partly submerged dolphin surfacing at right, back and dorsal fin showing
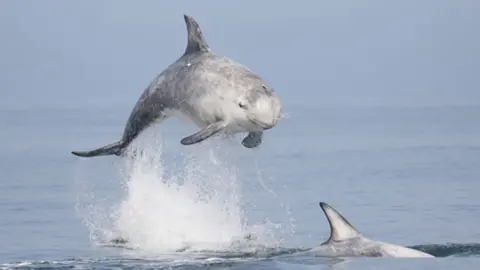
{"points": [[346, 241]]}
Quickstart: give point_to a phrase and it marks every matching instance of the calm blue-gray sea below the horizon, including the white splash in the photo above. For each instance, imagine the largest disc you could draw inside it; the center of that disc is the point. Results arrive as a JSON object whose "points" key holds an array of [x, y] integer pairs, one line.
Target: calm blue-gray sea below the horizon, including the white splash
{"points": [[408, 176]]}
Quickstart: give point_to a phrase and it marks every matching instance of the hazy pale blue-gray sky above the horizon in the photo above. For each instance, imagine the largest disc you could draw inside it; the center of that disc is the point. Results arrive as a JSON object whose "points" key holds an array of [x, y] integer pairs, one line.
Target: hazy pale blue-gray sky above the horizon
{"points": [[318, 53]]}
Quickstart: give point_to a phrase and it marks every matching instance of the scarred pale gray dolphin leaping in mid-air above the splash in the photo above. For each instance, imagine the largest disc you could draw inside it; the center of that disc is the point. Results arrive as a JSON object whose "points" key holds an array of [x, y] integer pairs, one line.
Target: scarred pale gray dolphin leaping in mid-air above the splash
{"points": [[213, 92]]}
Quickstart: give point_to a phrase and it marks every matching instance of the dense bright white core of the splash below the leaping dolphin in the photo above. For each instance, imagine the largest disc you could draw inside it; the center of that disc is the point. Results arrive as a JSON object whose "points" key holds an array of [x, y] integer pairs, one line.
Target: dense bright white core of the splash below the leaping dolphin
{"points": [[201, 207]]}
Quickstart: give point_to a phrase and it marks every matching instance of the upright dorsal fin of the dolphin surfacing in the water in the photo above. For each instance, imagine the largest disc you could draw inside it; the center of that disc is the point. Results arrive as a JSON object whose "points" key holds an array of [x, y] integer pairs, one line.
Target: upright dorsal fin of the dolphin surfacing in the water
{"points": [[340, 228]]}
